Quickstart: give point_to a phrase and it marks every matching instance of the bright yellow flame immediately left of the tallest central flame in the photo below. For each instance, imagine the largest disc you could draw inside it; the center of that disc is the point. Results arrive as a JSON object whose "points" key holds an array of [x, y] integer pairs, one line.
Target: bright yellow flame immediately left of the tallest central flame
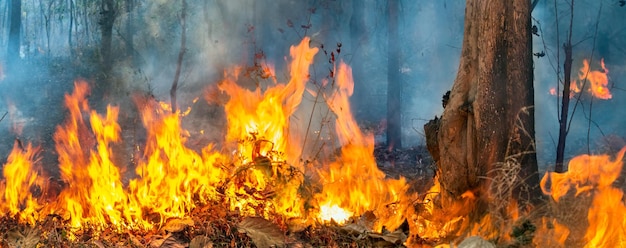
{"points": [[171, 174]]}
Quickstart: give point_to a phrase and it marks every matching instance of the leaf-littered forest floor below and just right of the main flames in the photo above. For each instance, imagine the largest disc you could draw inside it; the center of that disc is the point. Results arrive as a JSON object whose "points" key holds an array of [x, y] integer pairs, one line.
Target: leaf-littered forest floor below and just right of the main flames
{"points": [[211, 225]]}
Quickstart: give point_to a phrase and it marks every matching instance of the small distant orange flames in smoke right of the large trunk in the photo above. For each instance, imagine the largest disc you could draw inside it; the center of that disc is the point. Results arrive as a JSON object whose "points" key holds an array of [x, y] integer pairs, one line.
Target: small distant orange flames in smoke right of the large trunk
{"points": [[596, 82]]}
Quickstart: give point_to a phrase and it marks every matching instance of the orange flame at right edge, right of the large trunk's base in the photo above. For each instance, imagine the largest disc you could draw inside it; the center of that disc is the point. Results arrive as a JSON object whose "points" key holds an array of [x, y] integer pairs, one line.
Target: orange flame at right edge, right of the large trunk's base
{"points": [[594, 176]]}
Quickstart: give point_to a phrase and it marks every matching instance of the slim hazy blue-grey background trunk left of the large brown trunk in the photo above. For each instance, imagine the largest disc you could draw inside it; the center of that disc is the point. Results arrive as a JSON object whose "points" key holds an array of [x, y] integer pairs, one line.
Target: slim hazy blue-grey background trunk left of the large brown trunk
{"points": [[394, 82]]}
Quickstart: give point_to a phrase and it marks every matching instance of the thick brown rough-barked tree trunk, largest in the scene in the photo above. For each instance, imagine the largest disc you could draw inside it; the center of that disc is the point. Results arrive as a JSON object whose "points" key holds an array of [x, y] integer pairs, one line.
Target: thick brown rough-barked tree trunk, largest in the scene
{"points": [[487, 127]]}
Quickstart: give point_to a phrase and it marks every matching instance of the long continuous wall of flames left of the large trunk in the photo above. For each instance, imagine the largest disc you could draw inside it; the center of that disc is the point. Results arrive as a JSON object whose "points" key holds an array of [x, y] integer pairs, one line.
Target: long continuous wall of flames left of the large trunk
{"points": [[257, 172]]}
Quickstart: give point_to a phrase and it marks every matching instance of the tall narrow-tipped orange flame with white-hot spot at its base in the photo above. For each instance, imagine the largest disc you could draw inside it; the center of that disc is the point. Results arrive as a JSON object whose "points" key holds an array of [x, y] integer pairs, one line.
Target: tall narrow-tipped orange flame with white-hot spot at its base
{"points": [[354, 183]]}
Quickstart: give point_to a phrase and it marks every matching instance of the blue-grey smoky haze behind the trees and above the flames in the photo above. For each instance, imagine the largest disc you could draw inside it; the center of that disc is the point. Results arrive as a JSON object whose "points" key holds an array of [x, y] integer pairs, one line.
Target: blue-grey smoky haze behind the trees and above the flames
{"points": [[221, 34]]}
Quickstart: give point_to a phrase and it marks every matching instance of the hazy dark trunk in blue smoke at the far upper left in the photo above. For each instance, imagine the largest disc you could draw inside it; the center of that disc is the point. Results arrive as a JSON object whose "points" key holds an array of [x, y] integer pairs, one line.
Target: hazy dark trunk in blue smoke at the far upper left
{"points": [[15, 29]]}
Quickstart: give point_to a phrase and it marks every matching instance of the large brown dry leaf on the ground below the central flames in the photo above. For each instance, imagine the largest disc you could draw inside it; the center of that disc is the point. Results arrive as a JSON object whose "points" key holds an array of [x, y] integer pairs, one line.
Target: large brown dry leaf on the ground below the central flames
{"points": [[262, 232]]}
